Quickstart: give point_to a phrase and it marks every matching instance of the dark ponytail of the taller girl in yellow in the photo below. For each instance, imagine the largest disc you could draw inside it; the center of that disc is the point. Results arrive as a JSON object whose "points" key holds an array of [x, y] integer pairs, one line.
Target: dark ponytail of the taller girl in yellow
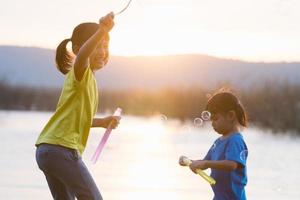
{"points": [[63, 58]]}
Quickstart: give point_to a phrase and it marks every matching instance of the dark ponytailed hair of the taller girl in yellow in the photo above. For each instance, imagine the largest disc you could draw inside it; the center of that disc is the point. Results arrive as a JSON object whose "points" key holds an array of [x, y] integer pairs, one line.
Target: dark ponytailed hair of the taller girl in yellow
{"points": [[80, 35]]}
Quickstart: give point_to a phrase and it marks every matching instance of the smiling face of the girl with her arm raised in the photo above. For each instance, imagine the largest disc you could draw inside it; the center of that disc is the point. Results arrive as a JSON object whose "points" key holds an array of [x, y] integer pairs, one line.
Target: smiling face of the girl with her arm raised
{"points": [[99, 57]]}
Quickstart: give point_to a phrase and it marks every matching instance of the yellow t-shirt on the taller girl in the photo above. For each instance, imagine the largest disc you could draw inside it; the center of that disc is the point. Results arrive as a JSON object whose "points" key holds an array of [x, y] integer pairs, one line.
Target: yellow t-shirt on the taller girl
{"points": [[70, 124]]}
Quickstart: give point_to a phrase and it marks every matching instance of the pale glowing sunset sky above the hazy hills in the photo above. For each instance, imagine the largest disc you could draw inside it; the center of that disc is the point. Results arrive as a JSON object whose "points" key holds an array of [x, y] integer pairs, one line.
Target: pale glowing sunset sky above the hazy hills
{"points": [[254, 30]]}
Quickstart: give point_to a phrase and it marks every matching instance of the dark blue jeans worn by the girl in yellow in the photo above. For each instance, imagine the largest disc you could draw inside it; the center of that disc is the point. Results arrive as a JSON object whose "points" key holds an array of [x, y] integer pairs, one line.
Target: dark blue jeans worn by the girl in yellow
{"points": [[66, 174]]}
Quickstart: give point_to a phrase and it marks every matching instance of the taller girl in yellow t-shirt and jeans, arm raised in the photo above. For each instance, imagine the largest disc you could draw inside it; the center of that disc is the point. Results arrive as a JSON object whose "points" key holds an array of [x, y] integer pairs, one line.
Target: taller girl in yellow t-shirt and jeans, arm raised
{"points": [[63, 139]]}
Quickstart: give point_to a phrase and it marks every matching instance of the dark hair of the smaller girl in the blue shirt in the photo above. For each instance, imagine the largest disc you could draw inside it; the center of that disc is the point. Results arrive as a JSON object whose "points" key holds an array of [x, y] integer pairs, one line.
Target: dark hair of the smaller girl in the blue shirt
{"points": [[223, 102]]}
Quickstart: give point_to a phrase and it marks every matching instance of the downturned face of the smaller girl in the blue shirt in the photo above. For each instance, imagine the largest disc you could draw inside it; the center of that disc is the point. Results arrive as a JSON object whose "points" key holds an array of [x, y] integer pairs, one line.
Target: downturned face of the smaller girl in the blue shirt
{"points": [[221, 123]]}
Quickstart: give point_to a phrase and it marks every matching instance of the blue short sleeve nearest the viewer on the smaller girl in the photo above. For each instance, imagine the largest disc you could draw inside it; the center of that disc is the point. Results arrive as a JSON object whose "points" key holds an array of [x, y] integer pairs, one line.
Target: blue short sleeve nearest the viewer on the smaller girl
{"points": [[237, 151]]}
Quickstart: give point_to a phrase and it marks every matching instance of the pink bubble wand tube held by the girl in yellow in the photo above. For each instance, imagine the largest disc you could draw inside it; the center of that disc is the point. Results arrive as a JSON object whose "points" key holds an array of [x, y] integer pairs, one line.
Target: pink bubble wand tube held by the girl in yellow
{"points": [[101, 144]]}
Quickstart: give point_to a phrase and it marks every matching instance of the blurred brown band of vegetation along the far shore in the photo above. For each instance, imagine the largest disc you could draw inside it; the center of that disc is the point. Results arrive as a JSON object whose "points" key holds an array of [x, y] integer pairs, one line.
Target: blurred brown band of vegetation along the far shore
{"points": [[275, 106]]}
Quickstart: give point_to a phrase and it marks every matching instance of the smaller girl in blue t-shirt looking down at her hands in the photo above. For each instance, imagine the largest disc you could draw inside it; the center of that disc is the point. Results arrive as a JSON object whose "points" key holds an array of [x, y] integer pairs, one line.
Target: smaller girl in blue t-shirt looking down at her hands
{"points": [[228, 155]]}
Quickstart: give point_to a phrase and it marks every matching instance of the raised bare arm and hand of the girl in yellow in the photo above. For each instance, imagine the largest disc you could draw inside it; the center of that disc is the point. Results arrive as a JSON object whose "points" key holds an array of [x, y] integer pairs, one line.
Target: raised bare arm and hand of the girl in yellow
{"points": [[82, 58]]}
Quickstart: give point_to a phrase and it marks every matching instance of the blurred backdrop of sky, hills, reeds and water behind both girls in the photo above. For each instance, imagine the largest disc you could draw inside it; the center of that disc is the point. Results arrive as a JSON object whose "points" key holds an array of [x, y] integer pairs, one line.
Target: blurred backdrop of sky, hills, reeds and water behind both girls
{"points": [[167, 59]]}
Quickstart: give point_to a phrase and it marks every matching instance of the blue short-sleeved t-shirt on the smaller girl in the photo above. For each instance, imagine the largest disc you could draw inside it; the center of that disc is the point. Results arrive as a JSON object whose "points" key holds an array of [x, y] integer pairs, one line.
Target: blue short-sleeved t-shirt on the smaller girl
{"points": [[230, 184]]}
